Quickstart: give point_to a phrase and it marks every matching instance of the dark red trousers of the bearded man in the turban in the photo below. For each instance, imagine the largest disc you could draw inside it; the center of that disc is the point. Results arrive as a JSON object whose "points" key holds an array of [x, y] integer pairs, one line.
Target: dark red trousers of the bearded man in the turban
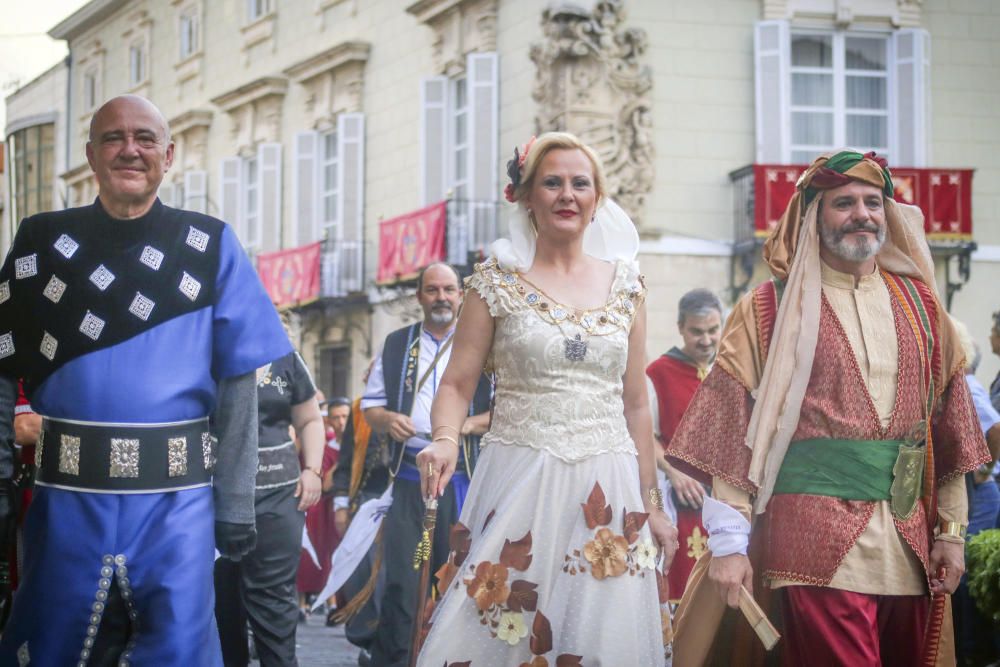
{"points": [[830, 627]]}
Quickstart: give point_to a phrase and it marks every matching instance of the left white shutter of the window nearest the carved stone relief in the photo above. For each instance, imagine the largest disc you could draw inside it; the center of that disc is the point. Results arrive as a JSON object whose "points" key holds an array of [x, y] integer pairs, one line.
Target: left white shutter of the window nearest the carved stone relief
{"points": [[433, 135]]}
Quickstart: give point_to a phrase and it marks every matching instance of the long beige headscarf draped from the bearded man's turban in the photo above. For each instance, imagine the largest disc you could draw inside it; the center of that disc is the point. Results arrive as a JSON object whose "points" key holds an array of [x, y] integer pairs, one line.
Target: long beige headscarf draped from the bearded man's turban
{"points": [[792, 253]]}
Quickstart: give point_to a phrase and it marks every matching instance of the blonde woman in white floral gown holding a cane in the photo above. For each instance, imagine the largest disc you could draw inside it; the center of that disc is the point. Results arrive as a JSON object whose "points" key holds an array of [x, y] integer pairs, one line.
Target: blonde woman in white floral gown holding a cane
{"points": [[555, 559]]}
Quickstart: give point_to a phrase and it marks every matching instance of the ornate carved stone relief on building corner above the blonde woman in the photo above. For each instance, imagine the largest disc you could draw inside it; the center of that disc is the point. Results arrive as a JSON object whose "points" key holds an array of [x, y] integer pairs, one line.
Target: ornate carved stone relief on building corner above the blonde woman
{"points": [[589, 81]]}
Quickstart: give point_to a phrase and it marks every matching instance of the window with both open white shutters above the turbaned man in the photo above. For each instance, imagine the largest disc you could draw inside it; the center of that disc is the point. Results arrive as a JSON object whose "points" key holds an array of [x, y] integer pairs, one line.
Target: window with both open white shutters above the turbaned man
{"points": [[818, 90]]}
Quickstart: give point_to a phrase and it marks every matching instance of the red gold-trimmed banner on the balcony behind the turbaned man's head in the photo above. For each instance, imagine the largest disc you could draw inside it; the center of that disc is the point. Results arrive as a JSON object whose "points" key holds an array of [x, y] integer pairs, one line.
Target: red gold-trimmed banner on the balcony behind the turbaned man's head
{"points": [[944, 195]]}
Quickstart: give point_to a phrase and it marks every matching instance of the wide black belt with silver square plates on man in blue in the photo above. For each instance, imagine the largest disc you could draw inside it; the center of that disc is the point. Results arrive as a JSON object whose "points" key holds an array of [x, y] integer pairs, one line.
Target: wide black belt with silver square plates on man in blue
{"points": [[124, 458]]}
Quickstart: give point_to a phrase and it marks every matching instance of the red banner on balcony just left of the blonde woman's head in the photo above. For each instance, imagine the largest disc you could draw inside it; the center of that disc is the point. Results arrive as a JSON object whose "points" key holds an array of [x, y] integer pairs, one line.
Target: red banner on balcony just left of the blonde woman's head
{"points": [[410, 242]]}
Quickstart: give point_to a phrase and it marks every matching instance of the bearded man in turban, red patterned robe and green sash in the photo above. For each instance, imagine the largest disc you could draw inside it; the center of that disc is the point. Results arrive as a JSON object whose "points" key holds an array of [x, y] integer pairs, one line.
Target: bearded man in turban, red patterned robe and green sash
{"points": [[837, 421]]}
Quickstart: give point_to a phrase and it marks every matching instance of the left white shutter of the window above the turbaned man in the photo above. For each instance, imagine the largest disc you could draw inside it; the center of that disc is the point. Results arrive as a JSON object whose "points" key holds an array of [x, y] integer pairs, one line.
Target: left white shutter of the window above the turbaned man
{"points": [[772, 85]]}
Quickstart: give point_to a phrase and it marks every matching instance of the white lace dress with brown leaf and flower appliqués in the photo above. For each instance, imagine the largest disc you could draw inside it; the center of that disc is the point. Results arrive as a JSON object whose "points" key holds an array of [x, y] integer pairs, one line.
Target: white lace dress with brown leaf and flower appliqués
{"points": [[551, 562]]}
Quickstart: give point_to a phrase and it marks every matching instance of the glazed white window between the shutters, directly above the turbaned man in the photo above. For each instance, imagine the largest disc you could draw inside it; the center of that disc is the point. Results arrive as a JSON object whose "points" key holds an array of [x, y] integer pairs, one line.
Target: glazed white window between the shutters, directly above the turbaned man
{"points": [[839, 93]]}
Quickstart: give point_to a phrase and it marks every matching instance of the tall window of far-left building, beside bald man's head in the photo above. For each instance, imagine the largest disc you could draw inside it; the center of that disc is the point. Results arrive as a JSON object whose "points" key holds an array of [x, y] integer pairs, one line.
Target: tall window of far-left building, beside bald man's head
{"points": [[32, 152]]}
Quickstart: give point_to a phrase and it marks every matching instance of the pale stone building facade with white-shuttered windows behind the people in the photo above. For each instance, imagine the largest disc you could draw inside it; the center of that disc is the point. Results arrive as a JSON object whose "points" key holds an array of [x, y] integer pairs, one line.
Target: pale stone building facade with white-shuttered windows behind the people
{"points": [[316, 119]]}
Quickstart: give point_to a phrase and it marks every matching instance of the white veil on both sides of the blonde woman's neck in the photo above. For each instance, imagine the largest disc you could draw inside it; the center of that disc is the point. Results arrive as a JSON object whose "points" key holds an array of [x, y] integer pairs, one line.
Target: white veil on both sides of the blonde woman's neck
{"points": [[611, 236]]}
